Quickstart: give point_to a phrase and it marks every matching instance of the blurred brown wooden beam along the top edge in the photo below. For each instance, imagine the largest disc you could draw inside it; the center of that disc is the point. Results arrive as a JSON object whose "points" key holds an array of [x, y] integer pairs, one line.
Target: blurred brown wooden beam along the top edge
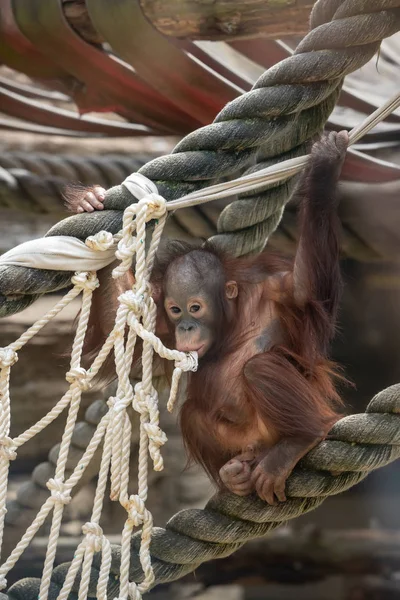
{"points": [[208, 19]]}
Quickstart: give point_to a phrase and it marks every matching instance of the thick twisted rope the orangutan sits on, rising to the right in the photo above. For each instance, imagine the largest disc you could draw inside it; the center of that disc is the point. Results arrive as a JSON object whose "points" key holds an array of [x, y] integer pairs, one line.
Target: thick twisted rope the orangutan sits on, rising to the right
{"points": [[358, 444]]}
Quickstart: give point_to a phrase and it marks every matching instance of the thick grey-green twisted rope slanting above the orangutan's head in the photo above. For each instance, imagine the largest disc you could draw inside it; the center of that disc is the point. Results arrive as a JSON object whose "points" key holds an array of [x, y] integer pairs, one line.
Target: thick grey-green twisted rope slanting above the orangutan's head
{"points": [[288, 105]]}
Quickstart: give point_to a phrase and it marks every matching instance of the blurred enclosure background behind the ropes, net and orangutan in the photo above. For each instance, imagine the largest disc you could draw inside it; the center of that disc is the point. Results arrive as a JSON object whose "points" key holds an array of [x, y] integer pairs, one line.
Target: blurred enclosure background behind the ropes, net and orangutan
{"points": [[89, 92]]}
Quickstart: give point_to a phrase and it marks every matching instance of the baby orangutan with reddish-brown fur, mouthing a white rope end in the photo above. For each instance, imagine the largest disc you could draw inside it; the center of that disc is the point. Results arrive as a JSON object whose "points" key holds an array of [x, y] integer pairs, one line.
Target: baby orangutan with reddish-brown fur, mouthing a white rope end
{"points": [[264, 392]]}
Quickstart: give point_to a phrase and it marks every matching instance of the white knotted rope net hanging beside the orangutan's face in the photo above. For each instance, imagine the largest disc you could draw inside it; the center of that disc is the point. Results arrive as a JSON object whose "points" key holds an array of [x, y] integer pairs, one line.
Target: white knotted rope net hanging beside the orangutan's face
{"points": [[136, 315]]}
